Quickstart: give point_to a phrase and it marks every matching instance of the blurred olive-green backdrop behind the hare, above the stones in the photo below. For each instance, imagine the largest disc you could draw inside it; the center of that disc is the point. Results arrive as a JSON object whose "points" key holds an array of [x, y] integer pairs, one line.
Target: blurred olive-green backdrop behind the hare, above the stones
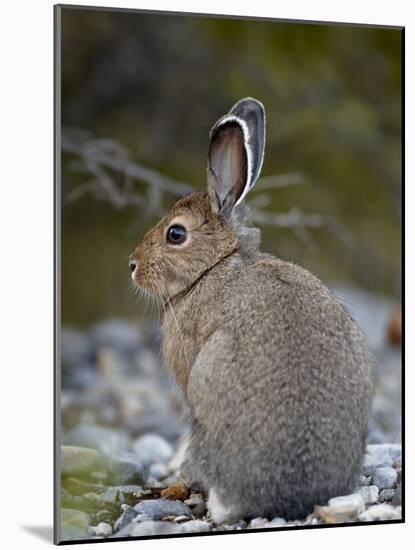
{"points": [[153, 85]]}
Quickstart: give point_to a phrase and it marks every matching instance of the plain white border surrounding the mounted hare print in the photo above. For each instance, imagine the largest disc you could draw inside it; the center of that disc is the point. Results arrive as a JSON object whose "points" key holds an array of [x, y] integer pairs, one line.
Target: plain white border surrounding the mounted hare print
{"points": [[27, 259]]}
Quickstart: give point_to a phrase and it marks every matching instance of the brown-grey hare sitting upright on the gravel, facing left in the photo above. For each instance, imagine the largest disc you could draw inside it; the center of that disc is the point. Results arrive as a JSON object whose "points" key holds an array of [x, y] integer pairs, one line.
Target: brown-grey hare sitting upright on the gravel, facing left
{"points": [[277, 376]]}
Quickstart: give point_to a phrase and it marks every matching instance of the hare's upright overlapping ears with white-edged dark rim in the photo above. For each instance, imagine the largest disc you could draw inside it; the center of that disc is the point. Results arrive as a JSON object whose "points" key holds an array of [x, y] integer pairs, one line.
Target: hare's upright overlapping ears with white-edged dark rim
{"points": [[235, 154]]}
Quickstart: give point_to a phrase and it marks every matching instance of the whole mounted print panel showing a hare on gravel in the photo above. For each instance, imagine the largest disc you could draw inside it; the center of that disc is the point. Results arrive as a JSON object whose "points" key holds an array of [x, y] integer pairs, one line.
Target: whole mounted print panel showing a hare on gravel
{"points": [[229, 280]]}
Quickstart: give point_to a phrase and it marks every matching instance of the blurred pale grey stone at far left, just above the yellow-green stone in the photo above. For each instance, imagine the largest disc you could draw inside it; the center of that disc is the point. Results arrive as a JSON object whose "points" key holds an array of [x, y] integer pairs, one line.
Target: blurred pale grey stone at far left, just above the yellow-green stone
{"points": [[105, 440]]}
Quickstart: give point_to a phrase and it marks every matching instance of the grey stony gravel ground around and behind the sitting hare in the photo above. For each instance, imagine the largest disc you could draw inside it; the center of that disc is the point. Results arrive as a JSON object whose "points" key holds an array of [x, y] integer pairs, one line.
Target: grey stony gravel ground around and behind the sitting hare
{"points": [[122, 440]]}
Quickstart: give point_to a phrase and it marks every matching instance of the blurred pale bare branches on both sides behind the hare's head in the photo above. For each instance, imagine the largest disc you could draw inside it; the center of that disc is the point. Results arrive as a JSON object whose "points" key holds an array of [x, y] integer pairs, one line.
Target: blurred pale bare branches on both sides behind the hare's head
{"points": [[114, 175]]}
